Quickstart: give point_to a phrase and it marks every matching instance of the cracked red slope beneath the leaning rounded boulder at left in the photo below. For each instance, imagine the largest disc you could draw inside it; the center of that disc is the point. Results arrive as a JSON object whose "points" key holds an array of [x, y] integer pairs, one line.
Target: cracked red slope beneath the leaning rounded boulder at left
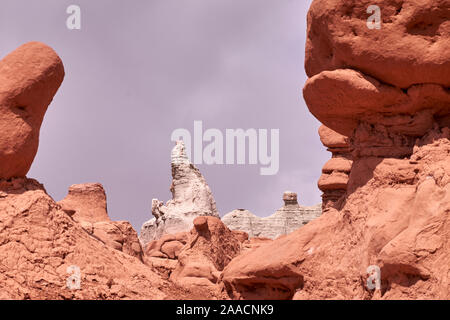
{"points": [[39, 241]]}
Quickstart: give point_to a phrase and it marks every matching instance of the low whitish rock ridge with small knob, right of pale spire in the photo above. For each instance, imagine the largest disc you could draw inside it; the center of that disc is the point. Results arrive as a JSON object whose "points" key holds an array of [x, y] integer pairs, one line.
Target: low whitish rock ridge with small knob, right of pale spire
{"points": [[288, 218]]}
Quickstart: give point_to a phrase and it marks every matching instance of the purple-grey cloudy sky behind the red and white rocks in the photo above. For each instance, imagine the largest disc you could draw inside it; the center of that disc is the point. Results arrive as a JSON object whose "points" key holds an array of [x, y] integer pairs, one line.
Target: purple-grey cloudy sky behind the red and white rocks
{"points": [[137, 70]]}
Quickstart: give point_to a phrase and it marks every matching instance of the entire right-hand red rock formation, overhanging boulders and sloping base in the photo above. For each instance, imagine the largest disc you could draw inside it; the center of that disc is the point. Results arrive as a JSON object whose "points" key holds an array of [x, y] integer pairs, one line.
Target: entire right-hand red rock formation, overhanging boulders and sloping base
{"points": [[394, 214]]}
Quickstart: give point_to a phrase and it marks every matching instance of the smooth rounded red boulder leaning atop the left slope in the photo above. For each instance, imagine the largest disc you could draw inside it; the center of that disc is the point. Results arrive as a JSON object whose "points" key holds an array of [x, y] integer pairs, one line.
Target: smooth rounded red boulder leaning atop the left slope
{"points": [[29, 78]]}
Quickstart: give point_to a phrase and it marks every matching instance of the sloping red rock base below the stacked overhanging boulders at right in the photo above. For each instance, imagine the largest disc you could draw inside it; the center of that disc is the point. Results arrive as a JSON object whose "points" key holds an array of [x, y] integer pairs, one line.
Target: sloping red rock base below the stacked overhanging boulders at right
{"points": [[396, 217]]}
